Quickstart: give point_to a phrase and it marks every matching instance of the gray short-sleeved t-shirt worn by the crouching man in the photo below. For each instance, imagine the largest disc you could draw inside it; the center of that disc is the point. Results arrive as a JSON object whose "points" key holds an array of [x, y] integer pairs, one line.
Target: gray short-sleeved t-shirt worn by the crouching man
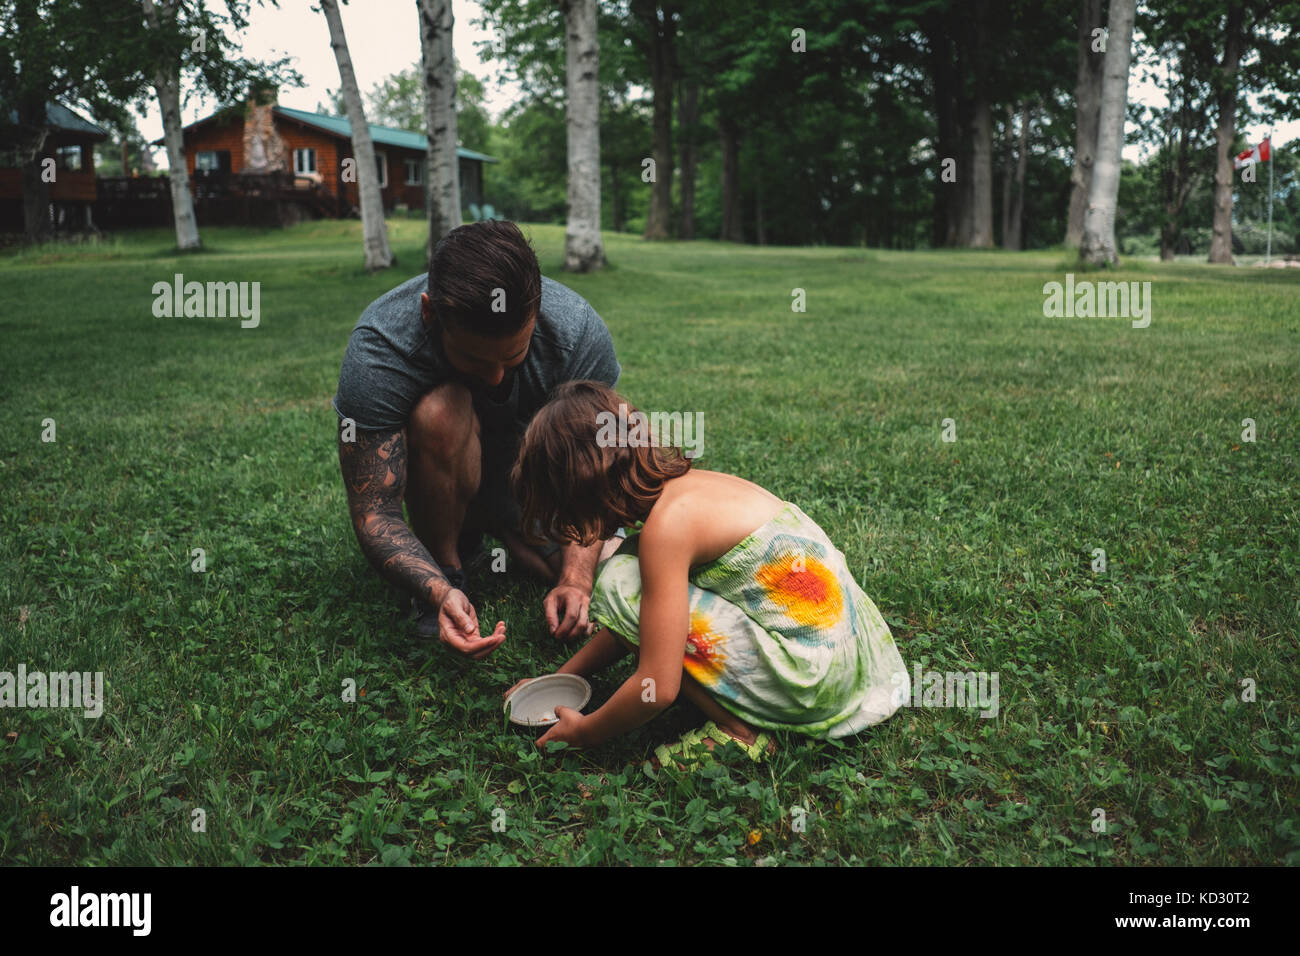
{"points": [[393, 360]]}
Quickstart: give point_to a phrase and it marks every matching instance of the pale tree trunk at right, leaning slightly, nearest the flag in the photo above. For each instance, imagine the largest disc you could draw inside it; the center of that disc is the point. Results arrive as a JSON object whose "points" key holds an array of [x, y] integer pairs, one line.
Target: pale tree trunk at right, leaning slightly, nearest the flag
{"points": [[1098, 246]]}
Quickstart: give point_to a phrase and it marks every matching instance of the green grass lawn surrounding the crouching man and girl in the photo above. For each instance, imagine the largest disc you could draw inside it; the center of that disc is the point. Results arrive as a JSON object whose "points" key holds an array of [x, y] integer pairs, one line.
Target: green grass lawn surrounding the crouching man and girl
{"points": [[1120, 691]]}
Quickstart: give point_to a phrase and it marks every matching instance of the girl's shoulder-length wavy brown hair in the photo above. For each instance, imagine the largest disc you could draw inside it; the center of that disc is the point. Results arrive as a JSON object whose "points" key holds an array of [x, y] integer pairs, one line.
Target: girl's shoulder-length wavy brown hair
{"points": [[573, 488]]}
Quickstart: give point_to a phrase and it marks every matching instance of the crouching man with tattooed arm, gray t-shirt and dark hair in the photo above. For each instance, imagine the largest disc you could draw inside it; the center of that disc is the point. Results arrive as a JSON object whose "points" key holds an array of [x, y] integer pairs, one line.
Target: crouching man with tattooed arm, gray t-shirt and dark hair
{"points": [[441, 378]]}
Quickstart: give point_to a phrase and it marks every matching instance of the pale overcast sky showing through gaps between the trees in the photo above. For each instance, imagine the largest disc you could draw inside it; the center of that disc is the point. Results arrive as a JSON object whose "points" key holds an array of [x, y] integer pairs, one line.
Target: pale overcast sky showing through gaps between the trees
{"points": [[384, 38]]}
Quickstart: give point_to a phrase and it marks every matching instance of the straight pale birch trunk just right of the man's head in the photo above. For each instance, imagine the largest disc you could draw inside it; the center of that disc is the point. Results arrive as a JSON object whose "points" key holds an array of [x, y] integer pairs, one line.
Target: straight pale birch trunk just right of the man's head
{"points": [[583, 248]]}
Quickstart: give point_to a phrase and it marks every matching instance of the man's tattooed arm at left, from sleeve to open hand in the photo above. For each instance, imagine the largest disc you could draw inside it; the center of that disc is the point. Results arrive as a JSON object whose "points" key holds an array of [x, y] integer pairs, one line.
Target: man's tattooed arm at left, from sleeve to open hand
{"points": [[375, 475]]}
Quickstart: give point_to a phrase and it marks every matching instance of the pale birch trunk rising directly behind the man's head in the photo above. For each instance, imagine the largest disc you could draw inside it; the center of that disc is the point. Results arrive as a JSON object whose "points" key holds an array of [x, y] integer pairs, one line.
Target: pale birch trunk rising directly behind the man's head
{"points": [[443, 174]]}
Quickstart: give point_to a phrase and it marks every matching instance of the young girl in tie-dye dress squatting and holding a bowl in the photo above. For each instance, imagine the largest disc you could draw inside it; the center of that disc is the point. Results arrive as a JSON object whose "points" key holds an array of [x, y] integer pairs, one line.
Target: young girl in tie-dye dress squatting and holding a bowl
{"points": [[730, 596]]}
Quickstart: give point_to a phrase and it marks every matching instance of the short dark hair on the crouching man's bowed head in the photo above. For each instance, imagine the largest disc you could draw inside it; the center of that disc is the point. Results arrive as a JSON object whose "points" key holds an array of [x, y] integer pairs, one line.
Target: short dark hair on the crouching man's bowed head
{"points": [[471, 265]]}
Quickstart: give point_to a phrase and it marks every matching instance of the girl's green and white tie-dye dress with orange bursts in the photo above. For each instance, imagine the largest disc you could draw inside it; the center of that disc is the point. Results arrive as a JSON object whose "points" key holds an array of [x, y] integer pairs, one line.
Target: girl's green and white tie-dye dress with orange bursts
{"points": [[781, 633]]}
